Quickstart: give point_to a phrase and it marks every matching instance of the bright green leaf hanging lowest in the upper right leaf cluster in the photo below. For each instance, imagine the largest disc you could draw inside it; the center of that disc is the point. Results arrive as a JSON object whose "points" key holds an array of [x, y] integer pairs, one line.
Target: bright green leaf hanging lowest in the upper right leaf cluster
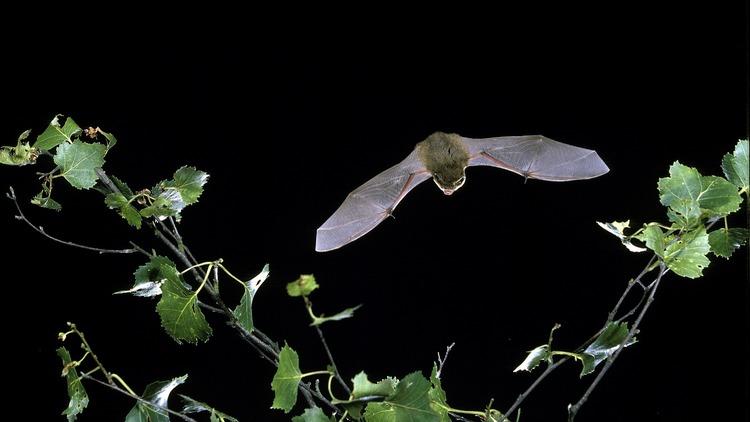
{"points": [[686, 256]]}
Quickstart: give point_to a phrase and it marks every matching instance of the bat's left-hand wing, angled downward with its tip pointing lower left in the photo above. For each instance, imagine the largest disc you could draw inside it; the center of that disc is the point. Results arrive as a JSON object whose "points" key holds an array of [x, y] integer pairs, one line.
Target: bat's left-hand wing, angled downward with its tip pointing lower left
{"points": [[370, 204]]}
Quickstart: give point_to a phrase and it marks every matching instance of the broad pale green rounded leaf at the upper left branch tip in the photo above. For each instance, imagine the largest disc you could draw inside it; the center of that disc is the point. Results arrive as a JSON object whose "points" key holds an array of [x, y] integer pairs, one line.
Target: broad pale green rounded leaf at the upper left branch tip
{"points": [[79, 161]]}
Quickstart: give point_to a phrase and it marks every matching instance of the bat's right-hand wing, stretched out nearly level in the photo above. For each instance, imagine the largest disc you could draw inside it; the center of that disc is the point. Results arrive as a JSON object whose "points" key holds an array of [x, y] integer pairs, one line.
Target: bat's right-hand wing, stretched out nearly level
{"points": [[536, 157]]}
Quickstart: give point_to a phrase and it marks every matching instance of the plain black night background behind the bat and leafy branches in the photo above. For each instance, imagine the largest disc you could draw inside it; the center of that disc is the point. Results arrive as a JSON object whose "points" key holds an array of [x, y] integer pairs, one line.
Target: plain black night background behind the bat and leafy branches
{"points": [[288, 122]]}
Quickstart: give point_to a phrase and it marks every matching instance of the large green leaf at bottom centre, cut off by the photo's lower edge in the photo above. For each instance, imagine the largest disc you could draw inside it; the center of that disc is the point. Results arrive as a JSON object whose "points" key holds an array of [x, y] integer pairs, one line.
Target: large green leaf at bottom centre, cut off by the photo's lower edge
{"points": [[409, 403]]}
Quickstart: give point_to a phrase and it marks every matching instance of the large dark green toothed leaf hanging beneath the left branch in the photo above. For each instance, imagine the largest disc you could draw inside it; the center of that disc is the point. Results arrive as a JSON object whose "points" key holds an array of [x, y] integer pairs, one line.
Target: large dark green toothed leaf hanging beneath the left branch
{"points": [[179, 311]]}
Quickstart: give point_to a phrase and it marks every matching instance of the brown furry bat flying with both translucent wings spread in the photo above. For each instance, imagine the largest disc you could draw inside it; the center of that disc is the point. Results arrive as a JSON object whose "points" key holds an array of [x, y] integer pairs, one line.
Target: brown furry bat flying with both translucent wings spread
{"points": [[444, 157]]}
